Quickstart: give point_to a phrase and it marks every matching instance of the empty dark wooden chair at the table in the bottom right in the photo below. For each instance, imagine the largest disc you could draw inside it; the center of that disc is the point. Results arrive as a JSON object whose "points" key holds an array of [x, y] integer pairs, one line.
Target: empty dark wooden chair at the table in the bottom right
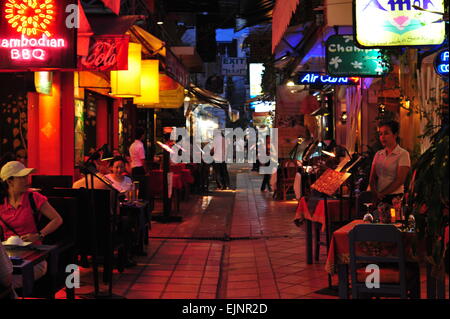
{"points": [[397, 278]]}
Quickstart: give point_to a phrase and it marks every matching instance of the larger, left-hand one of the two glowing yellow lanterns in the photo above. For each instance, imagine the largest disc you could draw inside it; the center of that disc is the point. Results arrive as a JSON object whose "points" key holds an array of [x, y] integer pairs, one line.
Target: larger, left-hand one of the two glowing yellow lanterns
{"points": [[128, 83]]}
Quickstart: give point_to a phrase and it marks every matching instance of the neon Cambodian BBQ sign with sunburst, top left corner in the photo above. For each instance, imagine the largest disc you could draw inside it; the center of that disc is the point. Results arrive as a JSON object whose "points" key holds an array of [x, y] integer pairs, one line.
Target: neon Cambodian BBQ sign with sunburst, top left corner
{"points": [[38, 34]]}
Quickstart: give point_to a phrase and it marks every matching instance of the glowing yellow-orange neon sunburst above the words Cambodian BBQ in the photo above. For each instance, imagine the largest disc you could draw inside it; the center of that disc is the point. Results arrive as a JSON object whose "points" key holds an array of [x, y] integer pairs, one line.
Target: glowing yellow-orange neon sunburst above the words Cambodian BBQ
{"points": [[30, 17]]}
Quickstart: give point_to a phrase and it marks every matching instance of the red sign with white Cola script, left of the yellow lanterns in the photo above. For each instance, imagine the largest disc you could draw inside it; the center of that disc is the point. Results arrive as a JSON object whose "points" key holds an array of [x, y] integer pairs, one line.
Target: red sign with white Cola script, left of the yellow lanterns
{"points": [[106, 53]]}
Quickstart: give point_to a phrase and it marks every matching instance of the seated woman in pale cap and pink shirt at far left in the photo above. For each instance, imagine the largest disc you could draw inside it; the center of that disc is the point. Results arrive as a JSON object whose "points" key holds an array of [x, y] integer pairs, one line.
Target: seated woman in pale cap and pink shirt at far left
{"points": [[17, 212]]}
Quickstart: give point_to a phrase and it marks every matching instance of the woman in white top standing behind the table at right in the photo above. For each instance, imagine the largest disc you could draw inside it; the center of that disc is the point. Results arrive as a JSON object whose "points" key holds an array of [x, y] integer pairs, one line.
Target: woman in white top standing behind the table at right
{"points": [[390, 165]]}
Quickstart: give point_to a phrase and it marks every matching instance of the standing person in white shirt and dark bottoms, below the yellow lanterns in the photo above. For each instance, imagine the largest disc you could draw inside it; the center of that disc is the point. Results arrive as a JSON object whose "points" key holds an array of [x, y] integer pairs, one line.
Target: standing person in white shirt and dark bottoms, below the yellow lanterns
{"points": [[137, 158]]}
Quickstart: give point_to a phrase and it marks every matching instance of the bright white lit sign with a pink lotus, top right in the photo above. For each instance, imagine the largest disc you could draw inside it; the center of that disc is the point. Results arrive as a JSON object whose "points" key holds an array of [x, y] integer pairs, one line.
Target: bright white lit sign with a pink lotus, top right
{"points": [[380, 23]]}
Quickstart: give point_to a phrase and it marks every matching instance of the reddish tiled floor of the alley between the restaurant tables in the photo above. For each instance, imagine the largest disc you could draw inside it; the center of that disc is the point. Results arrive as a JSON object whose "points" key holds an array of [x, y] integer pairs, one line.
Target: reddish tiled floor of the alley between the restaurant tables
{"points": [[231, 244]]}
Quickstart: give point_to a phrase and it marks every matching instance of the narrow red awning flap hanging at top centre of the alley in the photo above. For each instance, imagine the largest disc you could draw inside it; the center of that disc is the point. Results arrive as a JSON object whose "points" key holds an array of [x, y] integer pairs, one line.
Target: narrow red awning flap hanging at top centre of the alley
{"points": [[282, 13]]}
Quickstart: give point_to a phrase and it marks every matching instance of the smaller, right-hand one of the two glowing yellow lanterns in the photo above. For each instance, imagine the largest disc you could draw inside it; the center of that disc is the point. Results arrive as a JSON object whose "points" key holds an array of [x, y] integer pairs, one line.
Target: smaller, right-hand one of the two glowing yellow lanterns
{"points": [[149, 84]]}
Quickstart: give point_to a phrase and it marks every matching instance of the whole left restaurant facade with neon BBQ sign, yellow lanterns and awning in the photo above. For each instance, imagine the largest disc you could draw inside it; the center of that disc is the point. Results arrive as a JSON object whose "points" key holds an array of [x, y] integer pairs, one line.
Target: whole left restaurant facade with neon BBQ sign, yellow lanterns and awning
{"points": [[71, 86]]}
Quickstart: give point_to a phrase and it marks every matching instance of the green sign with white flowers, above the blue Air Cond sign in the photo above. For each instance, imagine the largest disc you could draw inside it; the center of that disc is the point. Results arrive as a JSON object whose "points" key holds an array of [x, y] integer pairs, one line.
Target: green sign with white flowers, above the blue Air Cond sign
{"points": [[344, 58]]}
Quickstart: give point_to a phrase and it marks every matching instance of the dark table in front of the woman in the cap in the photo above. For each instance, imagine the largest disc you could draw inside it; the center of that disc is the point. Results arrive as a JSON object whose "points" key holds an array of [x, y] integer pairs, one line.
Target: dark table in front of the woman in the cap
{"points": [[31, 257]]}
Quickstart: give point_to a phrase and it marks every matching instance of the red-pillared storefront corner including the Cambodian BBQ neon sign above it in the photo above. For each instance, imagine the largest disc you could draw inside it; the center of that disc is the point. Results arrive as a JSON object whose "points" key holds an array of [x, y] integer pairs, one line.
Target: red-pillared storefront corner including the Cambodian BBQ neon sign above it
{"points": [[37, 59]]}
